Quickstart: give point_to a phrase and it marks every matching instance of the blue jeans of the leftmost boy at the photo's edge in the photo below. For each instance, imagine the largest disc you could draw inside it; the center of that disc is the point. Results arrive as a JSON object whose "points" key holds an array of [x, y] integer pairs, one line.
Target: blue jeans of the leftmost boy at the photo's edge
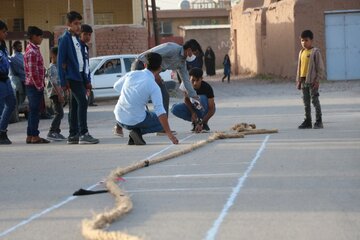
{"points": [[7, 103]]}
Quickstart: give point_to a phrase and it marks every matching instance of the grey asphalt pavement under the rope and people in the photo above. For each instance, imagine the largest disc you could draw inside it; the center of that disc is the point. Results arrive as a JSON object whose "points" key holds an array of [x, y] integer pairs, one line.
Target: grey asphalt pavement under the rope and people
{"points": [[296, 184]]}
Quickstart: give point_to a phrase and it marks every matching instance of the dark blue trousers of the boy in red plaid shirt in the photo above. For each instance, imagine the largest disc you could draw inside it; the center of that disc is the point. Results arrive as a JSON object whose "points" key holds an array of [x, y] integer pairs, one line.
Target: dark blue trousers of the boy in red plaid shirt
{"points": [[35, 97]]}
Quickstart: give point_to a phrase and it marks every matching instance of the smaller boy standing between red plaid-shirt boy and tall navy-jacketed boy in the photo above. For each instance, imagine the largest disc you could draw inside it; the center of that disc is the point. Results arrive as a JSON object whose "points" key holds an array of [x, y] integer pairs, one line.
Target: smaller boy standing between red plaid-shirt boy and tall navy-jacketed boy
{"points": [[56, 95]]}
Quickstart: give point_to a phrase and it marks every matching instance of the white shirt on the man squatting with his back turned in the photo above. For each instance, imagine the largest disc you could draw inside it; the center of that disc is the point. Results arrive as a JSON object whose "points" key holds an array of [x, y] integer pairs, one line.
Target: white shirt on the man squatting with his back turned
{"points": [[136, 88]]}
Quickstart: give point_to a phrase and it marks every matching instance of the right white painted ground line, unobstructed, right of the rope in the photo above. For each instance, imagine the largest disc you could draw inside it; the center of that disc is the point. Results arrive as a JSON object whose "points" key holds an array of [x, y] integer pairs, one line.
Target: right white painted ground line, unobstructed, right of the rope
{"points": [[211, 234]]}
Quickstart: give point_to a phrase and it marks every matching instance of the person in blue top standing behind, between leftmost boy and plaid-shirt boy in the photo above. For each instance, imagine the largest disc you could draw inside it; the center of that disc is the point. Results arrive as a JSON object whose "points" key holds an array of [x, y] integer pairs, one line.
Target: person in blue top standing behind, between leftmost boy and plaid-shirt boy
{"points": [[17, 71]]}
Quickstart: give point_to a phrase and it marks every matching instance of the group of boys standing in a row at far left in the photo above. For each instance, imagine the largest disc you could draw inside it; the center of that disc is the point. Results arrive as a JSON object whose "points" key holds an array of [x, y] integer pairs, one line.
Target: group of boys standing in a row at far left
{"points": [[68, 73]]}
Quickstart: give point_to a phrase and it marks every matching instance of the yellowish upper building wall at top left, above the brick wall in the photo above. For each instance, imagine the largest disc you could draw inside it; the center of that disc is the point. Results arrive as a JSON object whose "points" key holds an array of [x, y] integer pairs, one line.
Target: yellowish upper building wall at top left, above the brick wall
{"points": [[49, 13]]}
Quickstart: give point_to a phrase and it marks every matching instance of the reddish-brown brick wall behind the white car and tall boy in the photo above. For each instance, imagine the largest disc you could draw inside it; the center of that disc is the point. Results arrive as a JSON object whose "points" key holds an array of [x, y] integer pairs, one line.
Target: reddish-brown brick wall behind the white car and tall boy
{"points": [[116, 39]]}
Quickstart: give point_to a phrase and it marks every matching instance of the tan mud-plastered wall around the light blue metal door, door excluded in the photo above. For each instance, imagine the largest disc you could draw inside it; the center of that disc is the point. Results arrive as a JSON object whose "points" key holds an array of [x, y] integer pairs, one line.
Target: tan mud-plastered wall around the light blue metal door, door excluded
{"points": [[265, 33]]}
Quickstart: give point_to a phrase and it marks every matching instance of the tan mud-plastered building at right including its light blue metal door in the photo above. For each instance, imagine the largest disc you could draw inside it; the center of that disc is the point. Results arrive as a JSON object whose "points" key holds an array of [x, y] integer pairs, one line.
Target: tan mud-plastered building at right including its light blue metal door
{"points": [[265, 36]]}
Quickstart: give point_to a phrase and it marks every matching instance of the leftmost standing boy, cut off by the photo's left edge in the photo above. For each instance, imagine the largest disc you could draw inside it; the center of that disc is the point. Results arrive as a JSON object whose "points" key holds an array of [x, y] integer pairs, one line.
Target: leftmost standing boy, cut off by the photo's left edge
{"points": [[7, 97]]}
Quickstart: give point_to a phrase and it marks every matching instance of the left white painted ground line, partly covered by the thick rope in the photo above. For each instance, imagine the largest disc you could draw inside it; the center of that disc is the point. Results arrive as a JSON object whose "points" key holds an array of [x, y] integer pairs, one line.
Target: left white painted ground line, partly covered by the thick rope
{"points": [[71, 198]]}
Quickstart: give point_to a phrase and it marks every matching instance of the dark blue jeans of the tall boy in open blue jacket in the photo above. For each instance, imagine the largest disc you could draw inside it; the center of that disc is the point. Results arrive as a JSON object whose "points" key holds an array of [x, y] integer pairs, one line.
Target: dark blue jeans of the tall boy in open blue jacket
{"points": [[78, 108]]}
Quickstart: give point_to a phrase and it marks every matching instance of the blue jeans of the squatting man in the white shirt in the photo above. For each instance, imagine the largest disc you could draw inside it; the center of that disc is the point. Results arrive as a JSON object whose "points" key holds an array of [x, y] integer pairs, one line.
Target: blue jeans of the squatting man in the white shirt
{"points": [[150, 124]]}
